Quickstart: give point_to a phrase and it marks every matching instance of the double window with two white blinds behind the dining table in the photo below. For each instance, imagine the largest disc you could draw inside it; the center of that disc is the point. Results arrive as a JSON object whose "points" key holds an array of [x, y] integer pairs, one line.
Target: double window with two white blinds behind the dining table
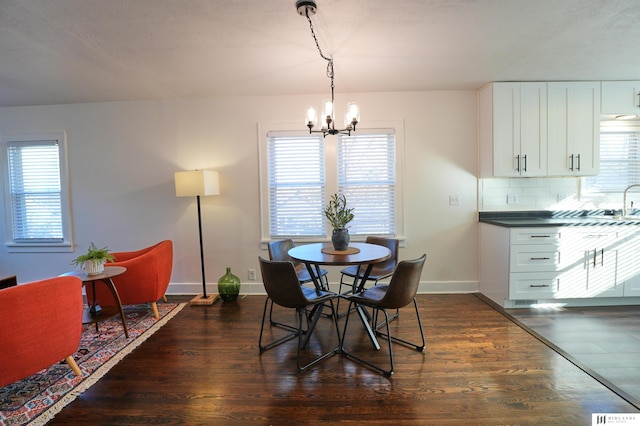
{"points": [[301, 171]]}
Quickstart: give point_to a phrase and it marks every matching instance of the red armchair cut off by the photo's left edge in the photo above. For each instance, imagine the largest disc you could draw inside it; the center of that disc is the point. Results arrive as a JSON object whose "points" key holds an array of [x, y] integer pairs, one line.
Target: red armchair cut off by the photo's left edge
{"points": [[40, 324]]}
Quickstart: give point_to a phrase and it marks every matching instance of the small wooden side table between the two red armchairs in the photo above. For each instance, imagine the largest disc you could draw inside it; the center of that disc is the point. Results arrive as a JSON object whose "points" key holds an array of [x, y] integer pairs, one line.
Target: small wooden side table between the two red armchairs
{"points": [[91, 315]]}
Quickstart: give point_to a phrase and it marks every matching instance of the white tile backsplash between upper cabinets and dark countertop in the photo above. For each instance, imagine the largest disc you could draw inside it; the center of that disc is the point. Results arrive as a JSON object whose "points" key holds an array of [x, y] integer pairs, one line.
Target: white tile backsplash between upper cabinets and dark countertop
{"points": [[562, 193]]}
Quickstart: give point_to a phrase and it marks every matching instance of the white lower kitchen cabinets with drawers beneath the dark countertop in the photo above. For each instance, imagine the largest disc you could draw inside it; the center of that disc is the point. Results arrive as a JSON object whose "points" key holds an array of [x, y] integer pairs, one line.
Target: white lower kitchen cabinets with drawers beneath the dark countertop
{"points": [[521, 266]]}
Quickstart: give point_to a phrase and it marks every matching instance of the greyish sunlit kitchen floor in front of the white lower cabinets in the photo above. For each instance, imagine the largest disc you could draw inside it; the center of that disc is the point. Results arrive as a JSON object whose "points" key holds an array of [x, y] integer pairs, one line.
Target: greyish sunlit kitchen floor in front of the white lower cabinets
{"points": [[604, 341]]}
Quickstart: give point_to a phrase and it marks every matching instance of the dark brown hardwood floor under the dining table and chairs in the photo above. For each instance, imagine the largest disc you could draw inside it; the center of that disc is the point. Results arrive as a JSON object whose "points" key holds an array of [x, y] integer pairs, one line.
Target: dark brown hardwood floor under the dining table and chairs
{"points": [[479, 368]]}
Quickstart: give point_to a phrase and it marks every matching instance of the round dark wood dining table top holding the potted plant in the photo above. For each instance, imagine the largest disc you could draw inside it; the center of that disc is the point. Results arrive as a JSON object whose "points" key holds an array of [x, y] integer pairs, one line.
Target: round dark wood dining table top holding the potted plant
{"points": [[312, 253]]}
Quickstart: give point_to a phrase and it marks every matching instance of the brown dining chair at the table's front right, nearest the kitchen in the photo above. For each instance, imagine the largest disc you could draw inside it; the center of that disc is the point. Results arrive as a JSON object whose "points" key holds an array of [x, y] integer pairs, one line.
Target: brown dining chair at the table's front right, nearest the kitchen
{"points": [[400, 292]]}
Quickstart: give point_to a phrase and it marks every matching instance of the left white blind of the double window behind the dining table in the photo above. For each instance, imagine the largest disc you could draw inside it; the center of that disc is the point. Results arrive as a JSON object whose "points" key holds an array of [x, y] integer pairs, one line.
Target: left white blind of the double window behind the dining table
{"points": [[296, 185]]}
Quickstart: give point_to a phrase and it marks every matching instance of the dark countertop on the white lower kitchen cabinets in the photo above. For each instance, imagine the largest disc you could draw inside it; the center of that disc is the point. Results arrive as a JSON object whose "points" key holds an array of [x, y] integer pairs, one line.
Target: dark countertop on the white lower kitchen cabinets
{"points": [[548, 218]]}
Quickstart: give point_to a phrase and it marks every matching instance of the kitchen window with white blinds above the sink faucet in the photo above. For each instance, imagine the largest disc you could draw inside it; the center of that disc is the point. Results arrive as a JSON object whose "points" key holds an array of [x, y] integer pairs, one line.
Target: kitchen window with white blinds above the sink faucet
{"points": [[619, 161]]}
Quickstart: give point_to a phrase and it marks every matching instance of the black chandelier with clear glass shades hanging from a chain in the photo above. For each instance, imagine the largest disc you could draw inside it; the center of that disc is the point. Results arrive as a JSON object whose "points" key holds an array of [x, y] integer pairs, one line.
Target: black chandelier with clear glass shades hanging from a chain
{"points": [[352, 116]]}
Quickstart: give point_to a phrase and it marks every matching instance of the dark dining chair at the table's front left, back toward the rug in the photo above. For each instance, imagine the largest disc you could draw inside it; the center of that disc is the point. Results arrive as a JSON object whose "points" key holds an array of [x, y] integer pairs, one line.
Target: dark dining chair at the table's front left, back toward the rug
{"points": [[283, 288]]}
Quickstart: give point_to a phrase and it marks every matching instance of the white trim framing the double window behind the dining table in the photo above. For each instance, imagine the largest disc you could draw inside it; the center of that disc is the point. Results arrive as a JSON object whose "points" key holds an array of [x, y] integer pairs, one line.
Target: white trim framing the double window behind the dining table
{"points": [[331, 174]]}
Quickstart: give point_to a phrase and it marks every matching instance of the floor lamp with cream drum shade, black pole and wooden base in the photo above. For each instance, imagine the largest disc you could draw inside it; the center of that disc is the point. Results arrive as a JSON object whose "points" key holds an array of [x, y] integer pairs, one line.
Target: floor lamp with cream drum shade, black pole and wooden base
{"points": [[198, 183]]}
